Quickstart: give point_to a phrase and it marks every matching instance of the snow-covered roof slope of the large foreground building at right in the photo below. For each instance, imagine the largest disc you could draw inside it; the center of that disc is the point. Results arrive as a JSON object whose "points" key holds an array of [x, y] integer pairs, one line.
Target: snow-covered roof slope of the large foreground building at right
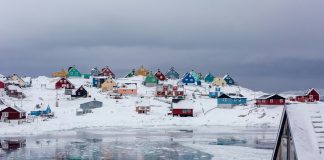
{"points": [[306, 138]]}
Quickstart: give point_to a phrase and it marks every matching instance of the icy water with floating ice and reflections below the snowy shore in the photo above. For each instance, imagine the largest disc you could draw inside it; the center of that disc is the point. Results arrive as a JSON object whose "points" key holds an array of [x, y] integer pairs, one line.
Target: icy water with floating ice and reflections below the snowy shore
{"points": [[136, 143]]}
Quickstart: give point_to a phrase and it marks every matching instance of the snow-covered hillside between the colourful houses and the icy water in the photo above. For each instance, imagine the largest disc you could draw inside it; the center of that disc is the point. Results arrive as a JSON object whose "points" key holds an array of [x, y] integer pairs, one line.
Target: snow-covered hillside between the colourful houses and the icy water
{"points": [[121, 112]]}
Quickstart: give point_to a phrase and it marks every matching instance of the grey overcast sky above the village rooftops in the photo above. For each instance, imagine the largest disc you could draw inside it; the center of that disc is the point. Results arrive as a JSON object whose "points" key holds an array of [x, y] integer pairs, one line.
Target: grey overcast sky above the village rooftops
{"points": [[272, 46]]}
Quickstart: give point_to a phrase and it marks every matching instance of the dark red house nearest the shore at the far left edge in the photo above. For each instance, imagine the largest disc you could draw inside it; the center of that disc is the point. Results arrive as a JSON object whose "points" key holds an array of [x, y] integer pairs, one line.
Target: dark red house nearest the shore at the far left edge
{"points": [[12, 113]]}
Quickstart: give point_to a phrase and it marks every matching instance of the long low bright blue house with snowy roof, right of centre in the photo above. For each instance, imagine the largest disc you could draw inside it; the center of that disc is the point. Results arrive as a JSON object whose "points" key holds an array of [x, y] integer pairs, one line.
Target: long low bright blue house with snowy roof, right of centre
{"points": [[231, 100]]}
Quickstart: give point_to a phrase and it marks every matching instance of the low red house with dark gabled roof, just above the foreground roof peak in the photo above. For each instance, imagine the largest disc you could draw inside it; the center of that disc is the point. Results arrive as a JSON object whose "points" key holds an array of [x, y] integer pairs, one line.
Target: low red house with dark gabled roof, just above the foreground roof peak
{"points": [[270, 100]]}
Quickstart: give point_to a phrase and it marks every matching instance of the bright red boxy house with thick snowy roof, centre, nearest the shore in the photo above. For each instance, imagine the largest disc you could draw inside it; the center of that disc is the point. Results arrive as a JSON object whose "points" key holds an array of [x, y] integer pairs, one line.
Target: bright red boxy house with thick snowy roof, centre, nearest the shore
{"points": [[182, 109]]}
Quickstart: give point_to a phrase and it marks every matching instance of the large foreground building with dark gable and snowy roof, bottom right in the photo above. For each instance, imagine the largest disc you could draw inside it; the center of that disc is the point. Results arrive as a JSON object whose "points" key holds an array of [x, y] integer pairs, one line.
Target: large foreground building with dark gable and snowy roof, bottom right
{"points": [[300, 135]]}
